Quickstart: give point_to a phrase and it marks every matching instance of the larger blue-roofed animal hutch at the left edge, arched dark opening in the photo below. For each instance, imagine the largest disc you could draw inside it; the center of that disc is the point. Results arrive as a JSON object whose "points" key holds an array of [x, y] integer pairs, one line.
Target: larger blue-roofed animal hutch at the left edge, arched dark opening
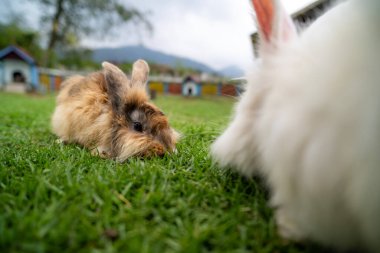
{"points": [[17, 70]]}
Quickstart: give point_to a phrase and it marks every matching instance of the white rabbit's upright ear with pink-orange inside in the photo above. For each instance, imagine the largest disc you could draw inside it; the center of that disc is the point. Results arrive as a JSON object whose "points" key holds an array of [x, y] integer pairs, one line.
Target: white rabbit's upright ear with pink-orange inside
{"points": [[275, 26]]}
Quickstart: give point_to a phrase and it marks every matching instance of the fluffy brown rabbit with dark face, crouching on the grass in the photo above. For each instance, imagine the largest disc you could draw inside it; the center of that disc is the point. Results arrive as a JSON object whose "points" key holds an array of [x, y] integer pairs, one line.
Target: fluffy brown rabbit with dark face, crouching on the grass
{"points": [[111, 114]]}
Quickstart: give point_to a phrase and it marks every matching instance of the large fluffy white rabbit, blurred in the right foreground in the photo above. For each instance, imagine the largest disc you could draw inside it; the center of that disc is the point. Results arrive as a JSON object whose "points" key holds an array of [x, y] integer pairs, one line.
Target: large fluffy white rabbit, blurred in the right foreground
{"points": [[309, 122]]}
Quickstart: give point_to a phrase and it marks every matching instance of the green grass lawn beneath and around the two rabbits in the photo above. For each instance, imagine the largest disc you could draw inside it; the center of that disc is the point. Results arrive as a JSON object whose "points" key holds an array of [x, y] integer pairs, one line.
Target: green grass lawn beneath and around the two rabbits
{"points": [[59, 198]]}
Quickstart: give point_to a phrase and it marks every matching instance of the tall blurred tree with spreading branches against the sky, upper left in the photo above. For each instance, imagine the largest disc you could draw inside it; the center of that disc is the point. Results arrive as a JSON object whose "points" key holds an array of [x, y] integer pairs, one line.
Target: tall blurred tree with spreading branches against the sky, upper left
{"points": [[69, 20]]}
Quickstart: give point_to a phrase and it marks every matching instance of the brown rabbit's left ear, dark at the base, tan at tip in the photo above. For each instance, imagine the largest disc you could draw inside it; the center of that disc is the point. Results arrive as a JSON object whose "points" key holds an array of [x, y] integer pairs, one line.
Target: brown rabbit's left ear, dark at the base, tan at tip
{"points": [[116, 82]]}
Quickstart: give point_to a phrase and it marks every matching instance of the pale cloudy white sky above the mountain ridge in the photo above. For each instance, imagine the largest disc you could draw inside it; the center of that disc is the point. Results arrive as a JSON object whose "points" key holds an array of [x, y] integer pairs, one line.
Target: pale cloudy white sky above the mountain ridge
{"points": [[215, 32]]}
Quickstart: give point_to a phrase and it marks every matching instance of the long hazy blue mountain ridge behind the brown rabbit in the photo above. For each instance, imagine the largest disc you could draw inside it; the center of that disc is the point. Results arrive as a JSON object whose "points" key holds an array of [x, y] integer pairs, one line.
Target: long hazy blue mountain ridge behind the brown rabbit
{"points": [[132, 53]]}
